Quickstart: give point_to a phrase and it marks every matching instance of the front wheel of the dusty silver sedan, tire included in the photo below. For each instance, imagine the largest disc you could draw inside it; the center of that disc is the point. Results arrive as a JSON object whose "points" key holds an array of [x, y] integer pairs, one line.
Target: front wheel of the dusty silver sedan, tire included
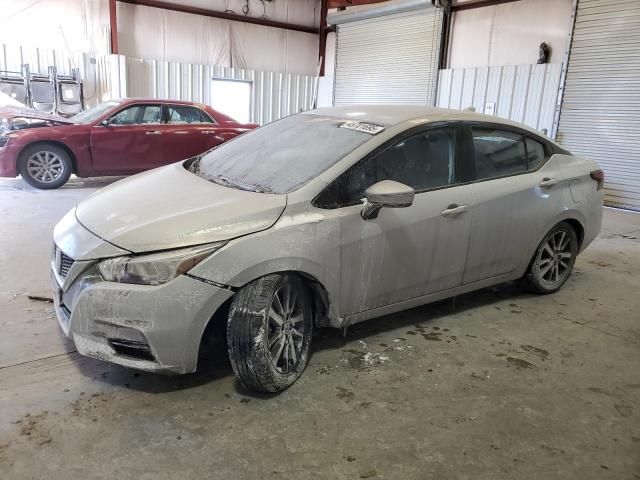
{"points": [[269, 332]]}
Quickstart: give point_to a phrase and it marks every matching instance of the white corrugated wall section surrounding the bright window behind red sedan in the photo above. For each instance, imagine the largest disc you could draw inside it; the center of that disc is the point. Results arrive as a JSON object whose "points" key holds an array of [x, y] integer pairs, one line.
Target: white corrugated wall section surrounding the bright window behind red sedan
{"points": [[274, 95]]}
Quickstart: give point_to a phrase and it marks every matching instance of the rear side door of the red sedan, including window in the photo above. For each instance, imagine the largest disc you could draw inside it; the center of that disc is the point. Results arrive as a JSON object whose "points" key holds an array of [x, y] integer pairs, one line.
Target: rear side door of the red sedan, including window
{"points": [[190, 131]]}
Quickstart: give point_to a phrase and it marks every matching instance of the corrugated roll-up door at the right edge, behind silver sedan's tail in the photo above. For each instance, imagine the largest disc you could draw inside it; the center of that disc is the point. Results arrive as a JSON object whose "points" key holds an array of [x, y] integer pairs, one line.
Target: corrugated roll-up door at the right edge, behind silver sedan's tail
{"points": [[600, 116]]}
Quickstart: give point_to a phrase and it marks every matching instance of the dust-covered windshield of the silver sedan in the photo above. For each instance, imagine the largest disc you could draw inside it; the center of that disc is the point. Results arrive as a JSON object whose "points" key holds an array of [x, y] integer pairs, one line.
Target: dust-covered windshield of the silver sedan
{"points": [[281, 156]]}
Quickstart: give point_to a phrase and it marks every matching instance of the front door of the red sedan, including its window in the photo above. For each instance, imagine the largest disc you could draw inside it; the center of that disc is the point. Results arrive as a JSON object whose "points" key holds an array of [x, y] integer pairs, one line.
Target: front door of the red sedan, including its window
{"points": [[131, 140]]}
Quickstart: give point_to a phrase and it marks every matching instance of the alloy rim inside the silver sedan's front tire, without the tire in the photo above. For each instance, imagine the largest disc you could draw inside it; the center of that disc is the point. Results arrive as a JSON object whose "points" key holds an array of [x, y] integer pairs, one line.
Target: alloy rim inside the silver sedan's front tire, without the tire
{"points": [[285, 332]]}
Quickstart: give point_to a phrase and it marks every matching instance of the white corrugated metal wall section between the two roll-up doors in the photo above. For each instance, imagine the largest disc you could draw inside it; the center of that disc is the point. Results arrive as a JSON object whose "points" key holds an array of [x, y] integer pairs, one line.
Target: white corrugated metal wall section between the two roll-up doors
{"points": [[523, 93]]}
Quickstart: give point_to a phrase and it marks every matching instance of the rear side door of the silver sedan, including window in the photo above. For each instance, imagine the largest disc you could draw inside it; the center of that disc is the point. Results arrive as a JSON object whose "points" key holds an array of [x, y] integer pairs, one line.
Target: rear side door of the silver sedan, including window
{"points": [[515, 194]]}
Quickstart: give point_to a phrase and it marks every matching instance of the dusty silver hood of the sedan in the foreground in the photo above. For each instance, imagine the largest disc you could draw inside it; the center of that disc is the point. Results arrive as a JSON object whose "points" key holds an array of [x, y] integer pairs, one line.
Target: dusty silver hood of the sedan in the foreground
{"points": [[170, 207]]}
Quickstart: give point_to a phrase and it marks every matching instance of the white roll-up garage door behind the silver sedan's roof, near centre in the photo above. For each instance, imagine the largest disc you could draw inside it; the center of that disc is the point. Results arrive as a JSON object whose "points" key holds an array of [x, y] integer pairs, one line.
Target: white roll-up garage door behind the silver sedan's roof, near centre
{"points": [[389, 59]]}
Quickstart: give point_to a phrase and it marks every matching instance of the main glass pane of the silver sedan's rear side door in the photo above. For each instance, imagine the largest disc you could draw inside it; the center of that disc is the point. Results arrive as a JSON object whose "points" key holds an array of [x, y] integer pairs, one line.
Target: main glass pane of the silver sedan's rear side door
{"points": [[499, 153]]}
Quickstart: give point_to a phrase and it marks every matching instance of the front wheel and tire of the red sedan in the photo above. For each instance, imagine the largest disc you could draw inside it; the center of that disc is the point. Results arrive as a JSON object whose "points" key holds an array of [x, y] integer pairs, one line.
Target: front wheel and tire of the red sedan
{"points": [[45, 166]]}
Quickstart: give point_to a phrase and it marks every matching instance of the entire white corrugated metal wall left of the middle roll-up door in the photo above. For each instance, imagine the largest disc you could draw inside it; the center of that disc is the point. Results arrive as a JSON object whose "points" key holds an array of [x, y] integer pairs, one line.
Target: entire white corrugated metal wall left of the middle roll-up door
{"points": [[274, 95]]}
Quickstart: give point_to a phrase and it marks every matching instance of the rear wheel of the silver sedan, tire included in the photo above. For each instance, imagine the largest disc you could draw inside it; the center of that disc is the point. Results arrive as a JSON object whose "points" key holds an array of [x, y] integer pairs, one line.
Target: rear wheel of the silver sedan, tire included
{"points": [[554, 260]]}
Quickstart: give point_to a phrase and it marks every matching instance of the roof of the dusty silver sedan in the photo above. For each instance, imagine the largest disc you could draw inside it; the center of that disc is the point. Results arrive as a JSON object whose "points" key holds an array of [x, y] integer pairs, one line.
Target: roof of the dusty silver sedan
{"points": [[389, 115]]}
